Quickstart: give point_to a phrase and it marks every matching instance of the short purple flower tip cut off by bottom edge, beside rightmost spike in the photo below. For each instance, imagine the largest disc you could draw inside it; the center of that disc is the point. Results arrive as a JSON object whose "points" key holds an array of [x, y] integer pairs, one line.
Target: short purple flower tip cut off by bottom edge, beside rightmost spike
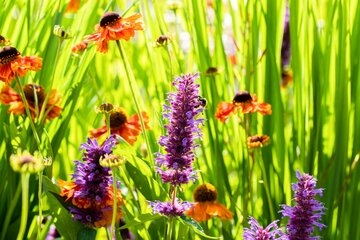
{"points": [[257, 232]]}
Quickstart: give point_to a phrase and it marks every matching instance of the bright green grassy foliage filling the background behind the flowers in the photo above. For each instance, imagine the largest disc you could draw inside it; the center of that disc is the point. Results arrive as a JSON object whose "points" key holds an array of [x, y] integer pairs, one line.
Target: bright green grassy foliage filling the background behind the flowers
{"points": [[314, 126]]}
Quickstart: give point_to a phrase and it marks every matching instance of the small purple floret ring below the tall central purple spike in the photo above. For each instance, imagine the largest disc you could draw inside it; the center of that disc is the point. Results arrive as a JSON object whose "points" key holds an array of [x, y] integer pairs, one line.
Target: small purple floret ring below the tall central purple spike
{"points": [[169, 209]]}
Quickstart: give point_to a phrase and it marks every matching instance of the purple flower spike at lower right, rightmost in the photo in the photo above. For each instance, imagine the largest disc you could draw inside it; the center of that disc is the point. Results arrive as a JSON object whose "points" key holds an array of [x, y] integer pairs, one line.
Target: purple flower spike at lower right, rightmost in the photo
{"points": [[307, 212]]}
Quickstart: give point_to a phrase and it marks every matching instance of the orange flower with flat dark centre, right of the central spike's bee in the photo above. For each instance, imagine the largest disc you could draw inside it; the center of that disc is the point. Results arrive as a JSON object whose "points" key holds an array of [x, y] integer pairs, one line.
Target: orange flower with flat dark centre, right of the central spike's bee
{"points": [[243, 101]]}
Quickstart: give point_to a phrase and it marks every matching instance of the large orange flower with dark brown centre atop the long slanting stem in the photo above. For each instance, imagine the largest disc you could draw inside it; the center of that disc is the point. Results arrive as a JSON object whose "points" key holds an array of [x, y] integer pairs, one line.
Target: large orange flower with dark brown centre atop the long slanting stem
{"points": [[113, 27]]}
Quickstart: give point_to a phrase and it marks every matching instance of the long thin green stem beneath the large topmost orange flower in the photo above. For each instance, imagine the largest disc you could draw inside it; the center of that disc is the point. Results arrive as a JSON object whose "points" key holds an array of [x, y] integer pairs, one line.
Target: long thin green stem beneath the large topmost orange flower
{"points": [[130, 78]]}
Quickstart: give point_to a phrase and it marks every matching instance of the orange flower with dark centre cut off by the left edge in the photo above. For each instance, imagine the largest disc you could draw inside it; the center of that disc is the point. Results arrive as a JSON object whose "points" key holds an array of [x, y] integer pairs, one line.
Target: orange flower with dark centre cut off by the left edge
{"points": [[11, 63]]}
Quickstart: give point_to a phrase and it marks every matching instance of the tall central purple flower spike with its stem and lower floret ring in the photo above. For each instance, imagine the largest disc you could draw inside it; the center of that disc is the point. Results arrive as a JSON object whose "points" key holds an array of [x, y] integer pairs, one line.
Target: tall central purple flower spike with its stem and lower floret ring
{"points": [[179, 143]]}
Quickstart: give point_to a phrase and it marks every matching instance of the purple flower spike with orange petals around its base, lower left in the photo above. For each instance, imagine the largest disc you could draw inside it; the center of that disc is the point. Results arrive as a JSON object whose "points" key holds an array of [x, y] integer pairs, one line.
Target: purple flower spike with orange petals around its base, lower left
{"points": [[92, 194]]}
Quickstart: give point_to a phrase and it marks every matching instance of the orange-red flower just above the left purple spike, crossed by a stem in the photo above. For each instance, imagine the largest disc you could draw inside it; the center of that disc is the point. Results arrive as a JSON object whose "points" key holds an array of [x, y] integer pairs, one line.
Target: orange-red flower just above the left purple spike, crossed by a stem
{"points": [[120, 124]]}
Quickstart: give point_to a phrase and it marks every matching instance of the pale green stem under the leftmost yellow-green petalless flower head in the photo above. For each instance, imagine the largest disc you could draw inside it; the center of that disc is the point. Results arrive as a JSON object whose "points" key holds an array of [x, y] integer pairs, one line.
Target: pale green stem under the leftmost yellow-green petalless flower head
{"points": [[25, 206]]}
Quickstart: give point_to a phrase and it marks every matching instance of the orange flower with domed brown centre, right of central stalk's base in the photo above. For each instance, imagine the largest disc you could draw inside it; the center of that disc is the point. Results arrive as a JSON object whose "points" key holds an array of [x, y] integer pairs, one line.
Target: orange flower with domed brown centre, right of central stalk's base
{"points": [[205, 206]]}
